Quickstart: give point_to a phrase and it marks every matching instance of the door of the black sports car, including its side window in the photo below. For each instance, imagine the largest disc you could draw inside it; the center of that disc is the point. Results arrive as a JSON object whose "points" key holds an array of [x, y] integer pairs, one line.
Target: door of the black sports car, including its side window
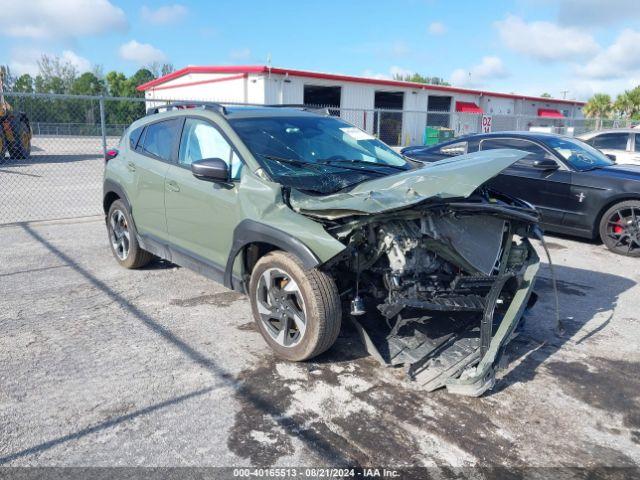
{"points": [[549, 191]]}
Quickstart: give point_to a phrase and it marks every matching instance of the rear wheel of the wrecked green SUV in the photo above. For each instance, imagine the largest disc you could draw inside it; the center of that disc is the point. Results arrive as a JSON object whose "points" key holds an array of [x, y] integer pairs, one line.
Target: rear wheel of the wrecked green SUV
{"points": [[122, 238]]}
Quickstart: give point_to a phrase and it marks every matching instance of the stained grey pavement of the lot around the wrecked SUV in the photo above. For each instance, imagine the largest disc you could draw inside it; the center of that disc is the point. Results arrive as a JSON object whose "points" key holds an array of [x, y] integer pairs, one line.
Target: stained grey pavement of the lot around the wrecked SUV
{"points": [[103, 366]]}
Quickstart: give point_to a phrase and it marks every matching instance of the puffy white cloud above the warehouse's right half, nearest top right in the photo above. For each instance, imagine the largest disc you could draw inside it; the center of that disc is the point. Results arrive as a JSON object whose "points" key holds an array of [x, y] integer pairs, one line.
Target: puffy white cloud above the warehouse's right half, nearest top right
{"points": [[546, 41]]}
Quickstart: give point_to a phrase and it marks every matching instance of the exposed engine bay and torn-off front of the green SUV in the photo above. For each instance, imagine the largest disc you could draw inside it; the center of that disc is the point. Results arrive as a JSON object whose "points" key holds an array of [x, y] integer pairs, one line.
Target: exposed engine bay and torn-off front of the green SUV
{"points": [[439, 288]]}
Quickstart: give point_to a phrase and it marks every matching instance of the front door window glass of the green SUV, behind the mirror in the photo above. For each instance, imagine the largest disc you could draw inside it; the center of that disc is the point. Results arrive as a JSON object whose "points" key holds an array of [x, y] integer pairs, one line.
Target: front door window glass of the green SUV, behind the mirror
{"points": [[202, 140]]}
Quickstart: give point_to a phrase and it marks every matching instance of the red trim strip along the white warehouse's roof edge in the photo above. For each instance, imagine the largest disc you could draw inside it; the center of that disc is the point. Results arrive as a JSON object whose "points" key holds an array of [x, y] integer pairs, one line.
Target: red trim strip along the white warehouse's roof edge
{"points": [[257, 69]]}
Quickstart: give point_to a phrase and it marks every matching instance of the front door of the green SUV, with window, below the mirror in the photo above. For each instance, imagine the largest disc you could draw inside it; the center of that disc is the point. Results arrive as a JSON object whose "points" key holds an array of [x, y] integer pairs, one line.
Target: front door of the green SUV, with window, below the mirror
{"points": [[201, 215]]}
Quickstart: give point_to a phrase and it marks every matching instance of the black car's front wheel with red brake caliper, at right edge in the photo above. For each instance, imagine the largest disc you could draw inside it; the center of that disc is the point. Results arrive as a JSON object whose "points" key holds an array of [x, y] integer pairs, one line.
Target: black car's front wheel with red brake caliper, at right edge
{"points": [[620, 228]]}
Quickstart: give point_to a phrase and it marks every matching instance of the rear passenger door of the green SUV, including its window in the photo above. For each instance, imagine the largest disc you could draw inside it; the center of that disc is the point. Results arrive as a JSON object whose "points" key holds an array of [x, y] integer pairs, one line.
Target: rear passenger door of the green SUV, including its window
{"points": [[155, 151]]}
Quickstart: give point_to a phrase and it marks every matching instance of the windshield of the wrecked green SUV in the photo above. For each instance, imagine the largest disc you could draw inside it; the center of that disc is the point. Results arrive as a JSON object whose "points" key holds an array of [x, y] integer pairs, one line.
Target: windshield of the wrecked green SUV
{"points": [[322, 154]]}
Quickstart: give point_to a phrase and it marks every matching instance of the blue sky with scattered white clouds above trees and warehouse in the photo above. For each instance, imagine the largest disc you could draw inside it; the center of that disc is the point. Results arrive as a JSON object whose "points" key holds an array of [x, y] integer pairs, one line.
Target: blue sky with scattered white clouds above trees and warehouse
{"points": [[522, 46]]}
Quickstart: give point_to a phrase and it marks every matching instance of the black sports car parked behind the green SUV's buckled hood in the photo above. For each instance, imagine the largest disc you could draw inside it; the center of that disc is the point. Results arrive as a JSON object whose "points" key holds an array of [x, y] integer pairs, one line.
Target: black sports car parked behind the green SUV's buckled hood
{"points": [[577, 189]]}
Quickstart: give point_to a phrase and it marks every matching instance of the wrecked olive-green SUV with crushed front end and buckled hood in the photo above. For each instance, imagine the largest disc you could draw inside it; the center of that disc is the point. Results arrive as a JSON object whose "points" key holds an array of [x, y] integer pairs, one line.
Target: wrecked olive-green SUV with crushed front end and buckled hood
{"points": [[312, 217]]}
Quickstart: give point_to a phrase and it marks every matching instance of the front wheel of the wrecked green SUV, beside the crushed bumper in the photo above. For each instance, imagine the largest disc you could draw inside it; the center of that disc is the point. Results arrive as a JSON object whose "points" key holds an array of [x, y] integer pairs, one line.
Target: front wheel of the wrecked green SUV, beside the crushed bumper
{"points": [[297, 311]]}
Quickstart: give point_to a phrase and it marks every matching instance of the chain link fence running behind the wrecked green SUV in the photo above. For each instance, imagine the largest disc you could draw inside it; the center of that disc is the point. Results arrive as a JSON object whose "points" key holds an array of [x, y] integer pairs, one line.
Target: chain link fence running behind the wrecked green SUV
{"points": [[62, 174]]}
